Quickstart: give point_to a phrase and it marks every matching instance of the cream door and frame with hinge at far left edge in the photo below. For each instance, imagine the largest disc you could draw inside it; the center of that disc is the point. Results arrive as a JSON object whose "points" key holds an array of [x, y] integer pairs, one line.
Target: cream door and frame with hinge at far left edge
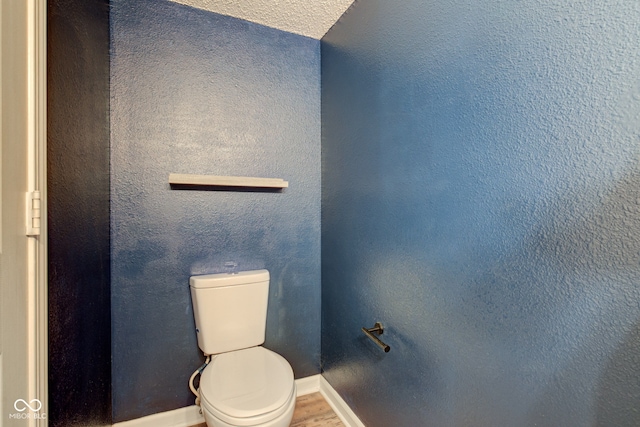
{"points": [[24, 323]]}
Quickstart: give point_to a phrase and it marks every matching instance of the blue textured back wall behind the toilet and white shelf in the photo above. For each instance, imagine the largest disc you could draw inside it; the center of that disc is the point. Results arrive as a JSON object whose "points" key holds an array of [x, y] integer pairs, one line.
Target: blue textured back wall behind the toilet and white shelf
{"points": [[196, 92]]}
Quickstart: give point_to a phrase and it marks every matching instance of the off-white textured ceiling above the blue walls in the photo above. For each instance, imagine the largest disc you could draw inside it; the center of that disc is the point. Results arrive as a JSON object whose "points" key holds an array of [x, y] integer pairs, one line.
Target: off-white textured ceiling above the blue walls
{"points": [[311, 18]]}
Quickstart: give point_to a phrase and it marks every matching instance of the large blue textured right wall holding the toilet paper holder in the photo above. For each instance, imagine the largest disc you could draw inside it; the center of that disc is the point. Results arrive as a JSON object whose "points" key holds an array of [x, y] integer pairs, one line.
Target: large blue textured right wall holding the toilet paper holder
{"points": [[481, 198]]}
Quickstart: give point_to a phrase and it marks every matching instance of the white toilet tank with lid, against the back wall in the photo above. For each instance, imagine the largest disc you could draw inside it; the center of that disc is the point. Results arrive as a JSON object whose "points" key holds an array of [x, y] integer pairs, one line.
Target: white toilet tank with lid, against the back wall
{"points": [[230, 310]]}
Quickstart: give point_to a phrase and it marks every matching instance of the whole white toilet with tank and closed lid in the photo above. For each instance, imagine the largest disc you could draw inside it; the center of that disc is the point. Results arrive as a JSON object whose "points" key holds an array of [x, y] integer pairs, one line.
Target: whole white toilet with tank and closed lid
{"points": [[244, 384]]}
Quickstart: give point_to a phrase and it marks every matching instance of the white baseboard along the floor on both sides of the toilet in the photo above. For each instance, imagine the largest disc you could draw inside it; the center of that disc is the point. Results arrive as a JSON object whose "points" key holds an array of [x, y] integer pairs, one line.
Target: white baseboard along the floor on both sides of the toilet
{"points": [[189, 416]]}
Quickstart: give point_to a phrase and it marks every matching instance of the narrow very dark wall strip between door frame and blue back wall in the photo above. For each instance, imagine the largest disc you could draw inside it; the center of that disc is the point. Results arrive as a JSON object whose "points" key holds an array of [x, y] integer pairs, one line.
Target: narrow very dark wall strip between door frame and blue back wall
{"points": [[78, 213]]}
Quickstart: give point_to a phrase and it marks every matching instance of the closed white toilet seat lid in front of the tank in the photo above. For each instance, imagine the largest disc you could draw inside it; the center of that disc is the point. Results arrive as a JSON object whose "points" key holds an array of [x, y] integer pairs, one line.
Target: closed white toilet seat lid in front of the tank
{"points": [[247, 387]]}
